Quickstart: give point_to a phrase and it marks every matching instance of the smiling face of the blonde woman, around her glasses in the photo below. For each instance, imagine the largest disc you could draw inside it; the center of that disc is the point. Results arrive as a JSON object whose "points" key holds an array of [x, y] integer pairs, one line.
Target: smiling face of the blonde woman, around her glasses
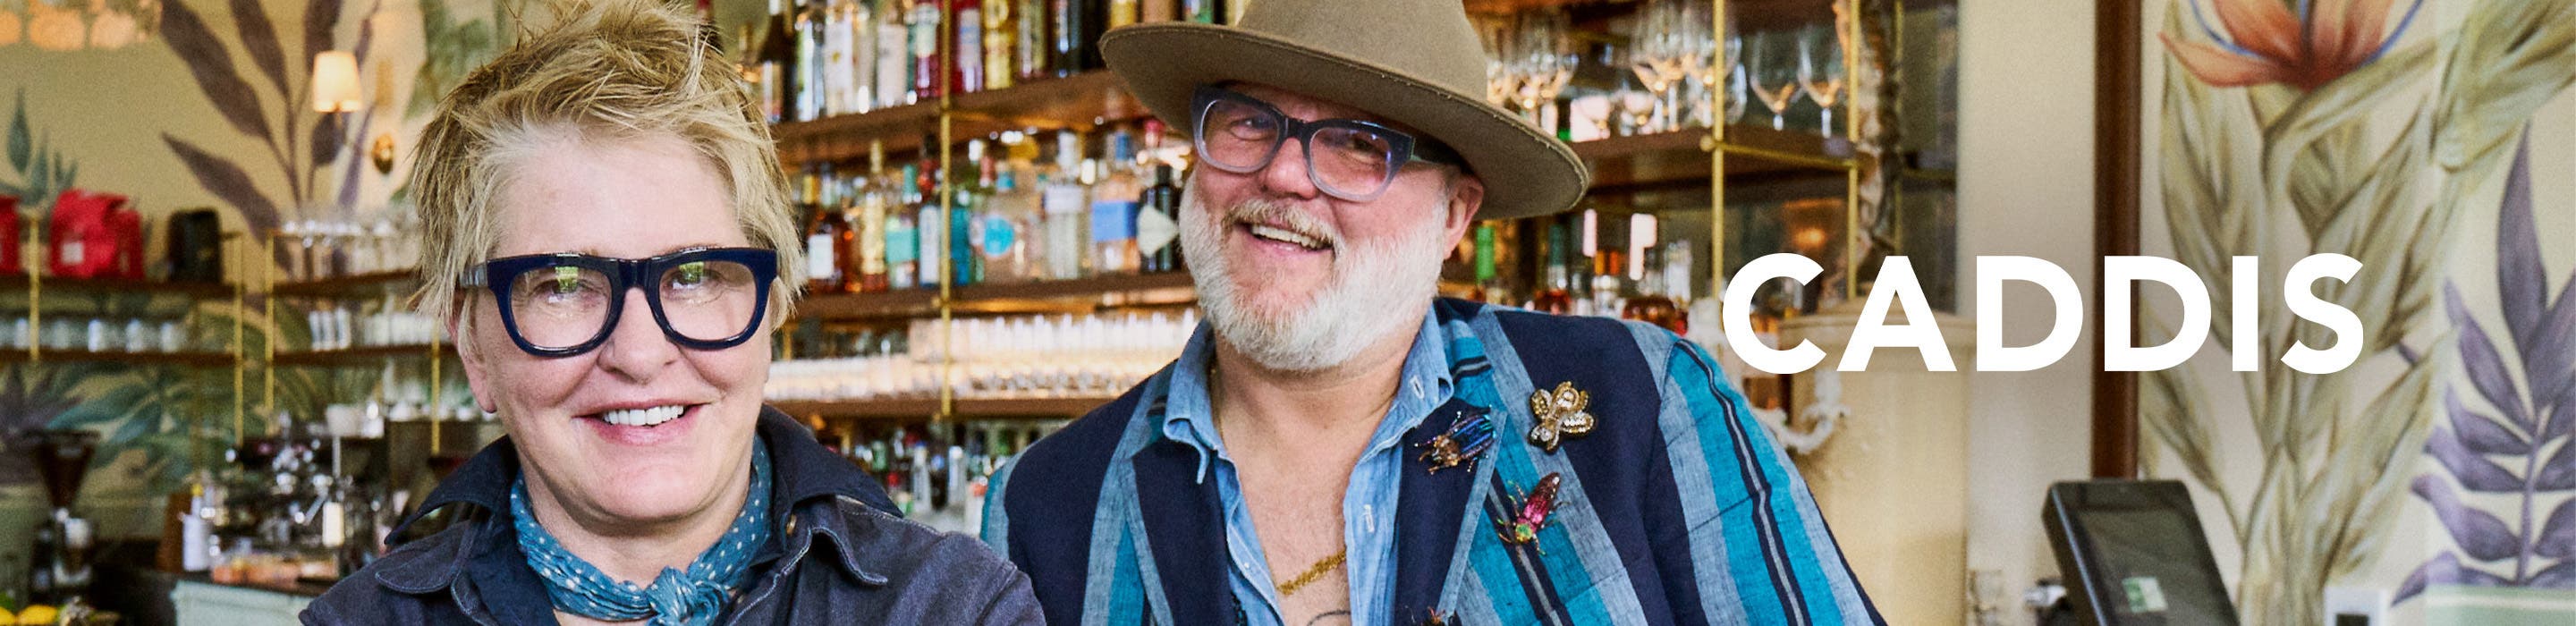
{"points": [[620, 200]]}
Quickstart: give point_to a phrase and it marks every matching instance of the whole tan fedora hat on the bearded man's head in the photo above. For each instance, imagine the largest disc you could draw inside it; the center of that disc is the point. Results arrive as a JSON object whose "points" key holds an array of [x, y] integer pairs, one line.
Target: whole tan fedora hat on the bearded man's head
{"points": [[1416, 63]]}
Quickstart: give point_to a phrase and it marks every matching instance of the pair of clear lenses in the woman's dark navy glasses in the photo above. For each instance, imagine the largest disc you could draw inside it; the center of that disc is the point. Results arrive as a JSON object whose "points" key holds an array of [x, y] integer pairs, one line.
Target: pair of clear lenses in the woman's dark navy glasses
{"points": [[568, 305]]}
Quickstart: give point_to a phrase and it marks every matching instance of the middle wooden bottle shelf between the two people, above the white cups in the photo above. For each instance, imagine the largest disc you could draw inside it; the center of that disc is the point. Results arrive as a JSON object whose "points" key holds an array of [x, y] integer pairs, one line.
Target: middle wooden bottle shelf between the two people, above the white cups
{"points": [[1135, 290]]}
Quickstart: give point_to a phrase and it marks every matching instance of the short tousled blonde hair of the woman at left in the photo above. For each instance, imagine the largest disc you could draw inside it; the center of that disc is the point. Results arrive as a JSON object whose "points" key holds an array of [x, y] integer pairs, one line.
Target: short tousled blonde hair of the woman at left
{"points": [[604, 71]]}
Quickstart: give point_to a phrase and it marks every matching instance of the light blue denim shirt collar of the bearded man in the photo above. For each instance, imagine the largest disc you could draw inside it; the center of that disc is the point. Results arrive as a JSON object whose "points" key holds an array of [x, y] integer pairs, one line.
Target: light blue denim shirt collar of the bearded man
{"points": [[1189, 416]]}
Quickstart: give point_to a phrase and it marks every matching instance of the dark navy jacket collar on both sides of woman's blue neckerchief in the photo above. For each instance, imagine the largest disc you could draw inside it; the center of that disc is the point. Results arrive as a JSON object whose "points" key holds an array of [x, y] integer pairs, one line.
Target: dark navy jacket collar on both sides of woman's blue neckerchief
{"points": [[808, 478]]}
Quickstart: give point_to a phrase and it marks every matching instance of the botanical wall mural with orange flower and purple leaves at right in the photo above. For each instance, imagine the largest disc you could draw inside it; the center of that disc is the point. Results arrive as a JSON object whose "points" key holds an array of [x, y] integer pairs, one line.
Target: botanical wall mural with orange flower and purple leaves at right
{"points": [[2382, 130]]}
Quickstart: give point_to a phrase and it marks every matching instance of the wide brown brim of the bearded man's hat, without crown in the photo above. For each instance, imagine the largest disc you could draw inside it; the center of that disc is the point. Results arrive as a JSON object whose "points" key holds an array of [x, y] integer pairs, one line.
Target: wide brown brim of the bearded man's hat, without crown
{"points": [[1526, 174]]}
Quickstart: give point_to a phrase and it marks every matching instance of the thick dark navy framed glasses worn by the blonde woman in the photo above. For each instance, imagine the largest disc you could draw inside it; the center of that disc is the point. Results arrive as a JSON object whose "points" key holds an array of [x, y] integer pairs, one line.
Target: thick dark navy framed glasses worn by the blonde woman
{"points": [[565, 305]]}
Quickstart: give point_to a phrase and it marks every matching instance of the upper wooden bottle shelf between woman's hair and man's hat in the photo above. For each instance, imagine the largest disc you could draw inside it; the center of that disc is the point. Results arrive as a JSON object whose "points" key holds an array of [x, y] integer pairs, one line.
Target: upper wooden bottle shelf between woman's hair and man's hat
{"points": [[1075, 102]]}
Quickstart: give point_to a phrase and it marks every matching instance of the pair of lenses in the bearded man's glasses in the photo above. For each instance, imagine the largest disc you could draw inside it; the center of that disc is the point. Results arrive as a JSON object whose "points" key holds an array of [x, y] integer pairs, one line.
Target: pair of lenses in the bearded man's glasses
{"points": [[1343, 161]]}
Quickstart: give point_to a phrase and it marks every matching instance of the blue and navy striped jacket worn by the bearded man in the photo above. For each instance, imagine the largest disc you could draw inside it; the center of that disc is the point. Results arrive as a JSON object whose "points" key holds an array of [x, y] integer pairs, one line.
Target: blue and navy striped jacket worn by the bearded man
{"points": [[1673, 509]]}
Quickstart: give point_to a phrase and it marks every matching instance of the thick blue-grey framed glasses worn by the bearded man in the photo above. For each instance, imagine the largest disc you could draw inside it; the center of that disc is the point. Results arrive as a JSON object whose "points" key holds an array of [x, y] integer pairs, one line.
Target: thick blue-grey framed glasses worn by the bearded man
{"points": [[1346, 158]]}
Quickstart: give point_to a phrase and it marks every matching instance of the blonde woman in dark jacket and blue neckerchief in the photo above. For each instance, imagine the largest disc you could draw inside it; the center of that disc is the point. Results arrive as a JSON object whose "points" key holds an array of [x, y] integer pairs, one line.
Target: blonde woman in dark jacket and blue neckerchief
{"points": [[609, 241]]}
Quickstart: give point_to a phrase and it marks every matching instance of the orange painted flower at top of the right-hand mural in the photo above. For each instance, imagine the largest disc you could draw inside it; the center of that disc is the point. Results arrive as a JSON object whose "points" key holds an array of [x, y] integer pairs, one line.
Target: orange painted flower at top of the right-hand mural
{"points": [[2297, 43]]}
